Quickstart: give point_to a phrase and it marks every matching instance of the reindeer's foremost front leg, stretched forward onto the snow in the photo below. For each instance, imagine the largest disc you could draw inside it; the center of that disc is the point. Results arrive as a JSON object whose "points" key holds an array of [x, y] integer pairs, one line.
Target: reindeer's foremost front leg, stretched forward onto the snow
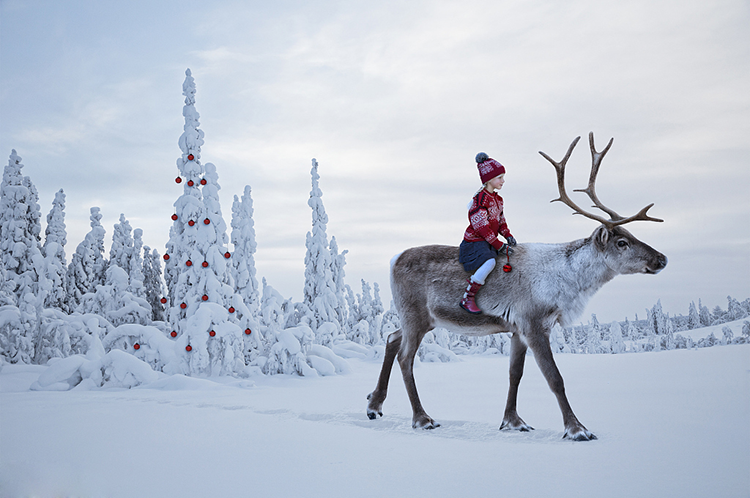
{"points": [[539, 343]]}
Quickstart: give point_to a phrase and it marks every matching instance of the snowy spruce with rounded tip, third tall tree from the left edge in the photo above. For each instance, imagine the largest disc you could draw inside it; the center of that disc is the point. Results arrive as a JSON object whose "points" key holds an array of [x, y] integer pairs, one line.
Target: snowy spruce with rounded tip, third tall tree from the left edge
{"points": [[87, 265]]}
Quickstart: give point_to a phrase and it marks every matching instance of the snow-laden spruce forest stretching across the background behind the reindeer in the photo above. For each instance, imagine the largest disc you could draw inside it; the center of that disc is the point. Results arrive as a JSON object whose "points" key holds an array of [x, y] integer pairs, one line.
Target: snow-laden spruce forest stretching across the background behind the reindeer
{"points": [[121, 318]]}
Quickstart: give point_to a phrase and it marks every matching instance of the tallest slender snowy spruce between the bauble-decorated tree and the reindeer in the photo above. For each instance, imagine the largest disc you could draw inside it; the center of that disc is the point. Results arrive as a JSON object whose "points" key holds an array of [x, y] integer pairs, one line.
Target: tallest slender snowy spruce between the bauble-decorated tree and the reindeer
{"points": [[320, 289]]}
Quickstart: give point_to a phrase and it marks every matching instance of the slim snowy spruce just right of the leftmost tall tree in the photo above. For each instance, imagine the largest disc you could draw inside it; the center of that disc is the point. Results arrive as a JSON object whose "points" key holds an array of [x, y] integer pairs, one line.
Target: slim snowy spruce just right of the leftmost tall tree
{"points": [[53, 250]]}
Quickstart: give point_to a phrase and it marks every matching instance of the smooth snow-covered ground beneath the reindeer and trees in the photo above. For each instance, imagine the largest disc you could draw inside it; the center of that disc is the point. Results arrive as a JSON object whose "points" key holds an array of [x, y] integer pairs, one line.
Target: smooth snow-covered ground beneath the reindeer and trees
{"points": [[672, 423]]}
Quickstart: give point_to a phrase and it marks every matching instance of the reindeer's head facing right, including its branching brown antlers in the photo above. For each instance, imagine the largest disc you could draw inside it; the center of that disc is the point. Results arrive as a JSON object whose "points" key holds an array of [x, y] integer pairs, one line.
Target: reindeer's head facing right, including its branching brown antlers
{"points": [[622, 252]]}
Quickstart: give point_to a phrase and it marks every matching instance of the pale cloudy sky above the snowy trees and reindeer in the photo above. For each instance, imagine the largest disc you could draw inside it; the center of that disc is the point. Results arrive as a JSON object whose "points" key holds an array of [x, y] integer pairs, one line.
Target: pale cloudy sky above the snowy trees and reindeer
{"points": [[394, 100]]}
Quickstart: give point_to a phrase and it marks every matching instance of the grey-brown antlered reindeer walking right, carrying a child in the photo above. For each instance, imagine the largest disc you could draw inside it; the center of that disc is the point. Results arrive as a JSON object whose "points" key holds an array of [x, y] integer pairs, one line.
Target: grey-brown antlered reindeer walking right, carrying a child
{"points": [[550, 283]]}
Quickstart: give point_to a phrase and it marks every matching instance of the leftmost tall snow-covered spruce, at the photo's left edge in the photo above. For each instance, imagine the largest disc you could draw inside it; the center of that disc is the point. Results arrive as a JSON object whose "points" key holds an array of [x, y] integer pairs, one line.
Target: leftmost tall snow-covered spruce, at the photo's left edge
{"points": [[25, 268]]}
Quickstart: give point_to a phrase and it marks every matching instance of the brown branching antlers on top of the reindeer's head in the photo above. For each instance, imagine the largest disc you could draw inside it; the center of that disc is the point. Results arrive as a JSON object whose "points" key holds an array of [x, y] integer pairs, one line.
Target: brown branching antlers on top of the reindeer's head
{"points": [[596, 159]]}
